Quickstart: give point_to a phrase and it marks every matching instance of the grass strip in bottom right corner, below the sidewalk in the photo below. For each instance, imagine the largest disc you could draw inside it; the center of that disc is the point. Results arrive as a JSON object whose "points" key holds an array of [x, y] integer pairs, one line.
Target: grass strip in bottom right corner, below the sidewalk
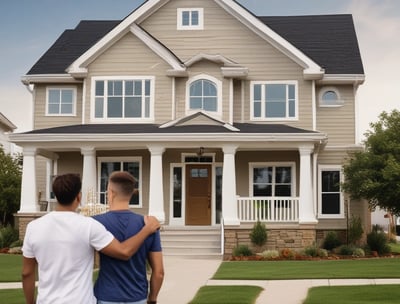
{"points": [[371, 294]]}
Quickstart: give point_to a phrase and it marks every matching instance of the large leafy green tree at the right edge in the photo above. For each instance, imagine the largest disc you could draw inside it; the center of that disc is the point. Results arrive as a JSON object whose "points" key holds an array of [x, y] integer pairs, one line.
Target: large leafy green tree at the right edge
{"points": [[374, 174]]}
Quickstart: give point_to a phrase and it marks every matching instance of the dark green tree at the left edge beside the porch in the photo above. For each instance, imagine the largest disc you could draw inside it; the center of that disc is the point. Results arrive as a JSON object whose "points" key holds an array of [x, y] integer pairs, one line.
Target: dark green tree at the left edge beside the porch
{"points": [[10, 187]]}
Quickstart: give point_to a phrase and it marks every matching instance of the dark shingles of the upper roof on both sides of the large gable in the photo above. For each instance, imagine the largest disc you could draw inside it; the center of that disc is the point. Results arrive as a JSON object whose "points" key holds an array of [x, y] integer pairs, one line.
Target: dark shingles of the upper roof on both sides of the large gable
{"points": [[329, 40]]}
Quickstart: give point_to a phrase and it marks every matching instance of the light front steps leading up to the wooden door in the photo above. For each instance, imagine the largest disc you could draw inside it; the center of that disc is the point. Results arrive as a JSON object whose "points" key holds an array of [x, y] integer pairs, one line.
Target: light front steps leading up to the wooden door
{"points": [[191, 242]]}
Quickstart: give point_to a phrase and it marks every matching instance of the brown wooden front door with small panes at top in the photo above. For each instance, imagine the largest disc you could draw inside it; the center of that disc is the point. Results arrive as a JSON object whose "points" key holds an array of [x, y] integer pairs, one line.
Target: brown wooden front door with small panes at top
{"points": [[198, 194]]}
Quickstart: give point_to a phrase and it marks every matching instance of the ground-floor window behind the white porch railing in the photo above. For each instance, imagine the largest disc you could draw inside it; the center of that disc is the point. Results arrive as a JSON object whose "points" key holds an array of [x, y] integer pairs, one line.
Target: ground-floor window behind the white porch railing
{"points": [[270, 180]]}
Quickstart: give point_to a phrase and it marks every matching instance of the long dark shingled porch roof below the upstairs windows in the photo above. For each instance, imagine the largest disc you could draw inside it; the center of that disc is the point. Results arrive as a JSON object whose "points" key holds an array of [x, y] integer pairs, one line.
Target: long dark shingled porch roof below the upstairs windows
{"points": [[154, 129]]}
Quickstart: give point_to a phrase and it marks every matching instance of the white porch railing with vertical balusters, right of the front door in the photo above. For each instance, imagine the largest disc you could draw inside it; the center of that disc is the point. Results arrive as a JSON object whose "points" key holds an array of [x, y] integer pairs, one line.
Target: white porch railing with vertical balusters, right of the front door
{"points": [[268, 209]]}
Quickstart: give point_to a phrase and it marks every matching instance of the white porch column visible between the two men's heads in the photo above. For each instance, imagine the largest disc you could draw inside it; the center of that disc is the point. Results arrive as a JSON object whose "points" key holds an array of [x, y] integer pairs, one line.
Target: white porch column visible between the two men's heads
{"points": [[89, 177]]}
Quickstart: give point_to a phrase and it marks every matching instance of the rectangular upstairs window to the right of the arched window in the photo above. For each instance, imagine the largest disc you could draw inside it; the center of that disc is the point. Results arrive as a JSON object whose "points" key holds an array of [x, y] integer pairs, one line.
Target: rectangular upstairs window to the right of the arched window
{"points": [[274, 100]]}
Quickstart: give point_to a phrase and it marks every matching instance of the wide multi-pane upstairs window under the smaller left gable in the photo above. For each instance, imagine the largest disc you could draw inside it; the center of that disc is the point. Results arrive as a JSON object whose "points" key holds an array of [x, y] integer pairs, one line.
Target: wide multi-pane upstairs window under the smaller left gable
{"points": [[123, 99]]}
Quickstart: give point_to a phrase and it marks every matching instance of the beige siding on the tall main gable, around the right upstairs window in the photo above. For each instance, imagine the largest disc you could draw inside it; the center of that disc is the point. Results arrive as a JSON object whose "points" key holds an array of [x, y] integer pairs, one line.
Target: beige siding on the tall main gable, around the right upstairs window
{"points": [[225, 35]]}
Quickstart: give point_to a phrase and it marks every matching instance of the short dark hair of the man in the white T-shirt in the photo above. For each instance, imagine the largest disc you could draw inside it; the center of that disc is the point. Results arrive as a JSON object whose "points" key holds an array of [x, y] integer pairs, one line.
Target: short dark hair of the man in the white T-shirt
{"points": [[66, 188]]}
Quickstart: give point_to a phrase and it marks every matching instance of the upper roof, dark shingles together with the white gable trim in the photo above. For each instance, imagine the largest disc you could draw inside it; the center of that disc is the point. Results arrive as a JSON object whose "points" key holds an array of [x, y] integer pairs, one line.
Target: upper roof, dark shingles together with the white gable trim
{"points": [[327, 41]]}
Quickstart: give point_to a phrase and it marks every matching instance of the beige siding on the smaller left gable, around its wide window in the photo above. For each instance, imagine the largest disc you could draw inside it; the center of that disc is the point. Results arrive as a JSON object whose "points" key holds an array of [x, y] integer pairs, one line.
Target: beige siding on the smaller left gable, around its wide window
{"points": [[131, 57]]}
